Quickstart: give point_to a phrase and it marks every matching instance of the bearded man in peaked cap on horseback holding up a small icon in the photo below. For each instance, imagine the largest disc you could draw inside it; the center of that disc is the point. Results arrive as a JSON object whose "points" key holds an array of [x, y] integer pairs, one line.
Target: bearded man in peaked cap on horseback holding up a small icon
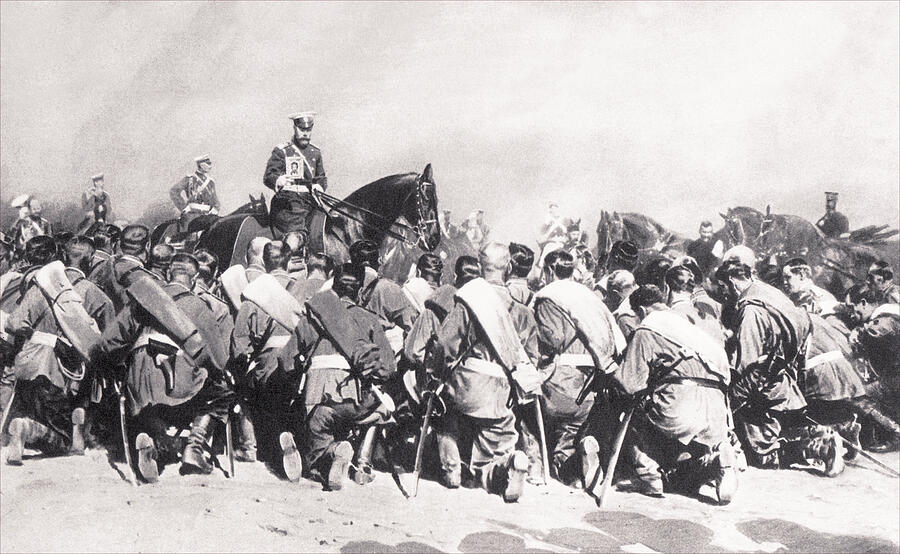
{"points": [[293, 204]]}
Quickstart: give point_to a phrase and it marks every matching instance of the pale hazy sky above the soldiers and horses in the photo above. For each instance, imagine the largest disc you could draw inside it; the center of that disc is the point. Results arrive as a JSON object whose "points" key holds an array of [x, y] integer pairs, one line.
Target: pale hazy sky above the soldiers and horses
{"points": [[675, 110]]}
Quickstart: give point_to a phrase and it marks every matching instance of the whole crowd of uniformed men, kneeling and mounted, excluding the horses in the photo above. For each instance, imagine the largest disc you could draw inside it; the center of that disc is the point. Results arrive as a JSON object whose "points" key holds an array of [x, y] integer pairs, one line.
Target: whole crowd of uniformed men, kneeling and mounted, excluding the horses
{"points": [[529, 365]]}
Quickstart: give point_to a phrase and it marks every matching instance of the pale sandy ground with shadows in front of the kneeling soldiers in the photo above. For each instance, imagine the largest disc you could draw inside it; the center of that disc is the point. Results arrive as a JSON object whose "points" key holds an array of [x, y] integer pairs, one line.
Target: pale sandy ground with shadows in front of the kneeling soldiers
{"points": [[86, 504]]}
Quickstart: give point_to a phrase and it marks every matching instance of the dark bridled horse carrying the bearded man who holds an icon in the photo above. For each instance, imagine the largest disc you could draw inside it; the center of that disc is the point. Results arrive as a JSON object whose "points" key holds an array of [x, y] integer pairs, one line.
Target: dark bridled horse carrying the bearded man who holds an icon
{"points": [[402, 207]]}
